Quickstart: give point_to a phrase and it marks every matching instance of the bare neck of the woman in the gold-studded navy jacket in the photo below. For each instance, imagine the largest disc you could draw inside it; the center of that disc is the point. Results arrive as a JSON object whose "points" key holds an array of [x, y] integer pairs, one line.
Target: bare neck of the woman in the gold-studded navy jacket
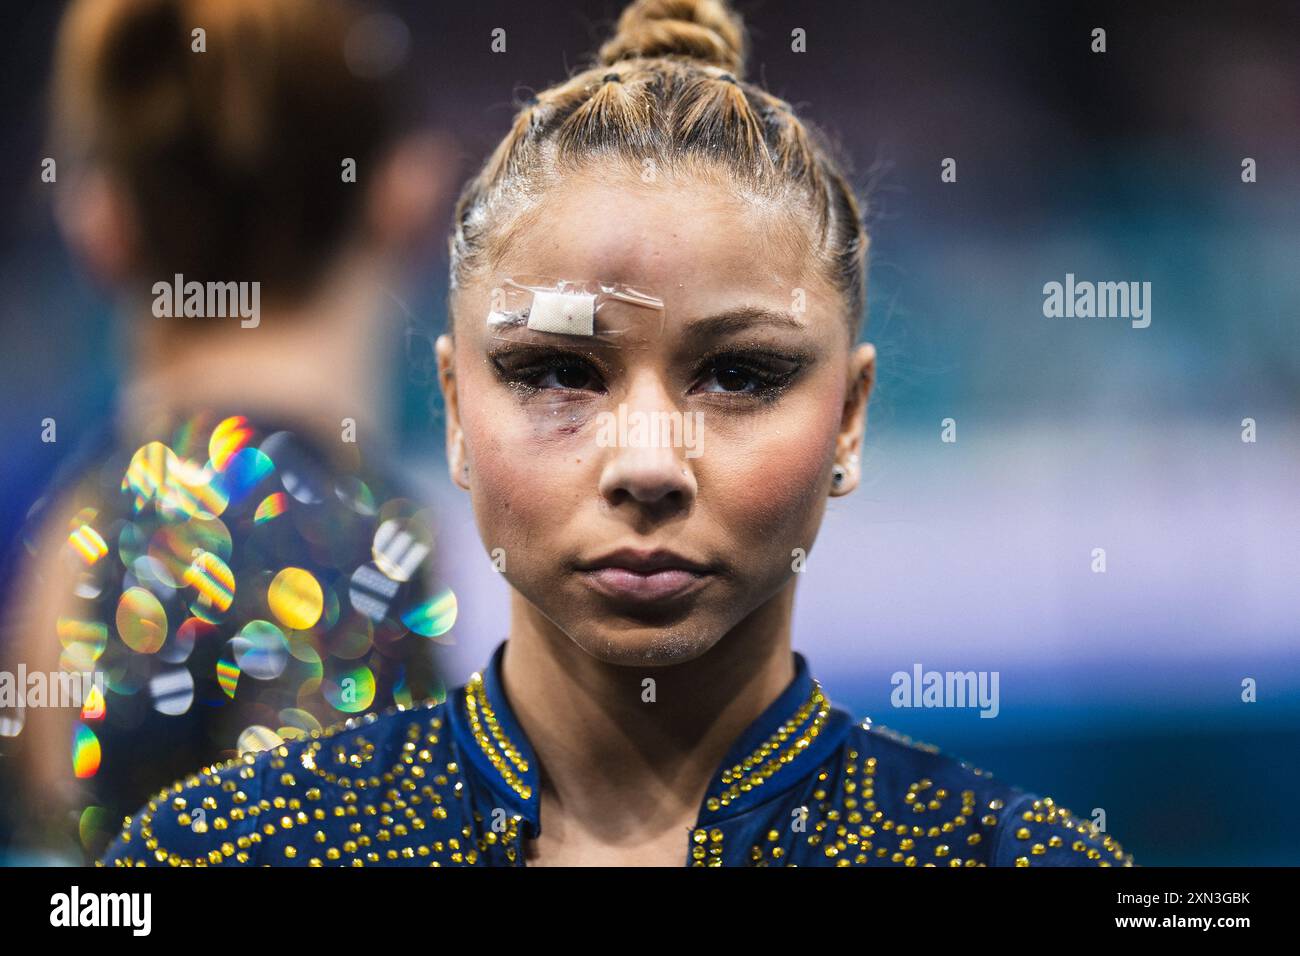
{"points": [[618, 771]]}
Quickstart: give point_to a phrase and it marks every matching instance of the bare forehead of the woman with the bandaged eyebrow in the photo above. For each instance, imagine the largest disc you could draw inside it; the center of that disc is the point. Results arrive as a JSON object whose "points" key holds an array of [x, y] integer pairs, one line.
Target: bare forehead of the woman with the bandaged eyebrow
{"points": [[687, 241]]}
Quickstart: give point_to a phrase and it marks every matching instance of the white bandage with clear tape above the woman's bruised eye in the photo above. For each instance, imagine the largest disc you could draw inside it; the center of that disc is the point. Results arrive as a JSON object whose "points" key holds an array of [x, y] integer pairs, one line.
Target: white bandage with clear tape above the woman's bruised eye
{"points": [[582, 312]]}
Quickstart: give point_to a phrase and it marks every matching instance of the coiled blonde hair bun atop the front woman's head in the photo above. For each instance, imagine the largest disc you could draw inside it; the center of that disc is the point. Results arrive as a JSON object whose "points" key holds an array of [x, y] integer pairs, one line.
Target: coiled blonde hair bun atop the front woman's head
{"points": [[705, 31]]}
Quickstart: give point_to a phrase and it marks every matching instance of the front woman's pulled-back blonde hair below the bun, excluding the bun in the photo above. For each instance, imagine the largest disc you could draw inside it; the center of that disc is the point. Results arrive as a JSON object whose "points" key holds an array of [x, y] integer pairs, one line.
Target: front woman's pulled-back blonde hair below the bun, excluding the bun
{"points": [[787, 153]]}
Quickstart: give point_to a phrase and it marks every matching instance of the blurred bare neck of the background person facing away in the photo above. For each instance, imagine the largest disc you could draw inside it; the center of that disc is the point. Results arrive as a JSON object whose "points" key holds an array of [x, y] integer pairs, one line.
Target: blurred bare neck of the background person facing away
{"points": [[313, 365]]}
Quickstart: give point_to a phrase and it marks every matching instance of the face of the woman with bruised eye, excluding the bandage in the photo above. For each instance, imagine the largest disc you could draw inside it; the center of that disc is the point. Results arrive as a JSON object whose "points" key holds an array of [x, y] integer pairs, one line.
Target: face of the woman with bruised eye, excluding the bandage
{"points": [[651, 496]]}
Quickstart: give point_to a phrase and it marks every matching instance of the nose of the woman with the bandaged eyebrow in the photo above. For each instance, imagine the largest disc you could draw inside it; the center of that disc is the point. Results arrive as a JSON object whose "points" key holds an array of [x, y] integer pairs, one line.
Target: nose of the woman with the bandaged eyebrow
{"points": [[647, 458]]}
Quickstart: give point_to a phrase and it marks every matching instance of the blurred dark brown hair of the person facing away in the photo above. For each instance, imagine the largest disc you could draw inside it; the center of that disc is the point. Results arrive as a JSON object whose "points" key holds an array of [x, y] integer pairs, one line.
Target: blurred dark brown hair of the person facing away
{"points": [[231, 158]]}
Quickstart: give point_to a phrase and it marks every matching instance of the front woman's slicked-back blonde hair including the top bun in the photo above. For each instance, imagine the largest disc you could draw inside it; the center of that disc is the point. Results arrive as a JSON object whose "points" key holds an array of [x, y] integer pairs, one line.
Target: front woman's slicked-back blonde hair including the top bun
{"points": [[669, 86]]}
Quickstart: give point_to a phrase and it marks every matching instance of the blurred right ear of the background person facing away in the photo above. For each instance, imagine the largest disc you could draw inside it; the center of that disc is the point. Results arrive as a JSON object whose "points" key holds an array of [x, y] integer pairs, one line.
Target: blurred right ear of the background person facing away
{"points": [[409, 188]]}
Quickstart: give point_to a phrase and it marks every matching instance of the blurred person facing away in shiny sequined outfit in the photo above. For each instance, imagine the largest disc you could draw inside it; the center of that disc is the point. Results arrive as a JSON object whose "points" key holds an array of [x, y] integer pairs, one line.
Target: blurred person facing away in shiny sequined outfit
{"points": [[232, 561]]}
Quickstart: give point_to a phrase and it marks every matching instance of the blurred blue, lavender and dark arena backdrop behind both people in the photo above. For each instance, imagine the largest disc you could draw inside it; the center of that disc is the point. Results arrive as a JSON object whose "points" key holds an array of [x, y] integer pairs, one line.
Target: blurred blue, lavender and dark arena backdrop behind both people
{"points": [[1120, 690]]}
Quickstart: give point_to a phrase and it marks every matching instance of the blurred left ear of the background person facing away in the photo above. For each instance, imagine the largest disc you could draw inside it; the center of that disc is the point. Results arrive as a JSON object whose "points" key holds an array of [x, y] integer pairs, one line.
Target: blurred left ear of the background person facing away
{"points": [[98, 223]]}
